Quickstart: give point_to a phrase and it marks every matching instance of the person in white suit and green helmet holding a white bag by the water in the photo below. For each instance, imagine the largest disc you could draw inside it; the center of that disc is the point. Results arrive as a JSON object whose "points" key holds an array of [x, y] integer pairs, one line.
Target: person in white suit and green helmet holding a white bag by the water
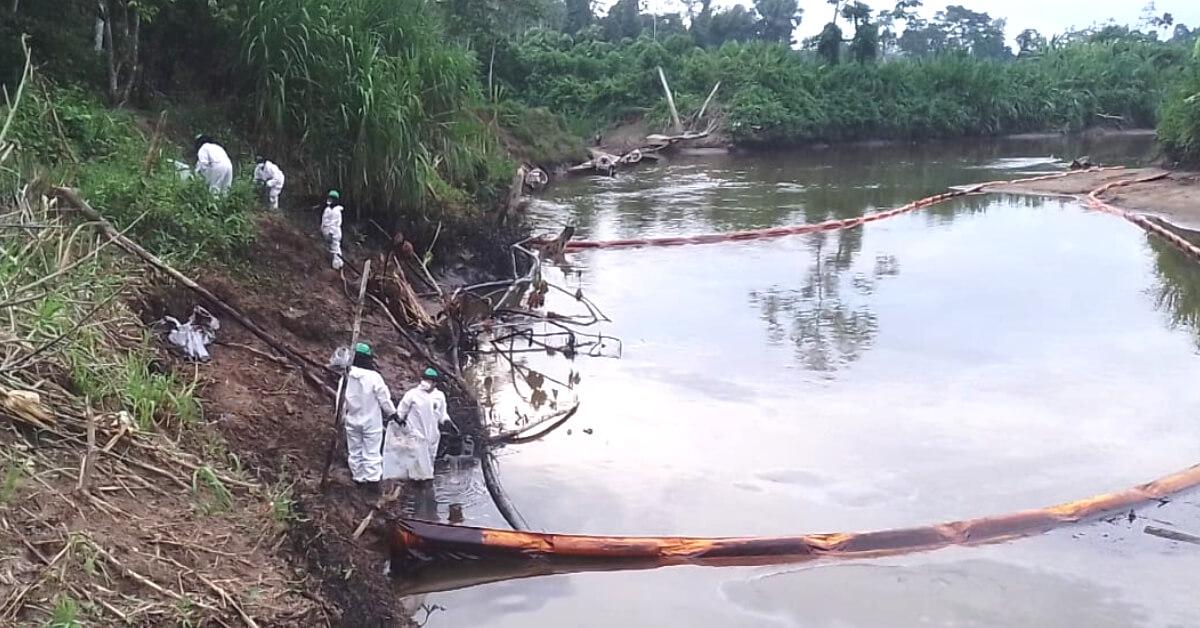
{"points": [[423, 411]]}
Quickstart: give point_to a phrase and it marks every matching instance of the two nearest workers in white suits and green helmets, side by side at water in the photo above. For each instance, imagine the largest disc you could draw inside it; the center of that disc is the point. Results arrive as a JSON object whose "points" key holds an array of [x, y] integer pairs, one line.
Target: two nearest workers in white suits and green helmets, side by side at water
{"points": [[413, 428]]}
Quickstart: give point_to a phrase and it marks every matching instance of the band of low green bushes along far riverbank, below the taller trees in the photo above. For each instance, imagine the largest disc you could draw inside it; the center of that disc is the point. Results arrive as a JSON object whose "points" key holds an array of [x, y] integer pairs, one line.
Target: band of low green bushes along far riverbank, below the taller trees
{"points": [[776, 95]]}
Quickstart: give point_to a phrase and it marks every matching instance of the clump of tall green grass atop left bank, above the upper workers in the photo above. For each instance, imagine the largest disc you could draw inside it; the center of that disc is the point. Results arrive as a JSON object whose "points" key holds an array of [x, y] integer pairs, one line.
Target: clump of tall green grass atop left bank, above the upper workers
{"points": [[381, 101]]}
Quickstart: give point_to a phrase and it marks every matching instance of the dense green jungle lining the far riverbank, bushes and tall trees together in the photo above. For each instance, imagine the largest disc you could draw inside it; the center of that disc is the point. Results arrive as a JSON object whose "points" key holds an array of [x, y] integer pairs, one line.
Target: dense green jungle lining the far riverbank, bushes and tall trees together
{"points": [[951, 76]]}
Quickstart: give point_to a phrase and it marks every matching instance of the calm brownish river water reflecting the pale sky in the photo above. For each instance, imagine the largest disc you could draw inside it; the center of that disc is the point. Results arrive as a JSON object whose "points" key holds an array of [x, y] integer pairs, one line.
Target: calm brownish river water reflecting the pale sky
{"points": [[989, 355]]}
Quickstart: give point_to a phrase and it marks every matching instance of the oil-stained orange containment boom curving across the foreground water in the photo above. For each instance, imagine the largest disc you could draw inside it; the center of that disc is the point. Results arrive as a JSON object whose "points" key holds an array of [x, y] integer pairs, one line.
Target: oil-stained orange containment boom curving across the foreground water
{"points": [[424, 540]]}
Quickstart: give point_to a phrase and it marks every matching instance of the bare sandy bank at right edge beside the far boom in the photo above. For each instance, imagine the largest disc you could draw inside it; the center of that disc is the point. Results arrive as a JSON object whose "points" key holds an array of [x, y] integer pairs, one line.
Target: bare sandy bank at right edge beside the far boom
{"points": [[1174, 199]]}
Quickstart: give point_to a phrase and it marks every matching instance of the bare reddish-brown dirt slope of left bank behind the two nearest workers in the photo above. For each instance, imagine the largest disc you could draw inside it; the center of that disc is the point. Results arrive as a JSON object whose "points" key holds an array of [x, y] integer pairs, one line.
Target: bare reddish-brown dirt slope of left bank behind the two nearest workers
{"points": [[283, 427]]}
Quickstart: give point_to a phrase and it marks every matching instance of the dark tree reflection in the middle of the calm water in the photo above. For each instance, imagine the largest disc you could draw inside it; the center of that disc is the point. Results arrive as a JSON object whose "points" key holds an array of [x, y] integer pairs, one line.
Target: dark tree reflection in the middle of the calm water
{"points": [[820, 319]]}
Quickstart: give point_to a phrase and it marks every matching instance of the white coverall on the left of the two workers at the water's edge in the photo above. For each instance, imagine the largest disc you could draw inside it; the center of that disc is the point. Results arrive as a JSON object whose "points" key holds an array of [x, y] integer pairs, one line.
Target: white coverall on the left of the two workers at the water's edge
{"points": [[368, 402]]}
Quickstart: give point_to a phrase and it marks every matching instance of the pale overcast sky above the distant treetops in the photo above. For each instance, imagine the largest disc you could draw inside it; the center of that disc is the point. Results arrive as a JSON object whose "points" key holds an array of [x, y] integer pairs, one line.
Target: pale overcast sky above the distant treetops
{"points": [[1047, 16]]}
